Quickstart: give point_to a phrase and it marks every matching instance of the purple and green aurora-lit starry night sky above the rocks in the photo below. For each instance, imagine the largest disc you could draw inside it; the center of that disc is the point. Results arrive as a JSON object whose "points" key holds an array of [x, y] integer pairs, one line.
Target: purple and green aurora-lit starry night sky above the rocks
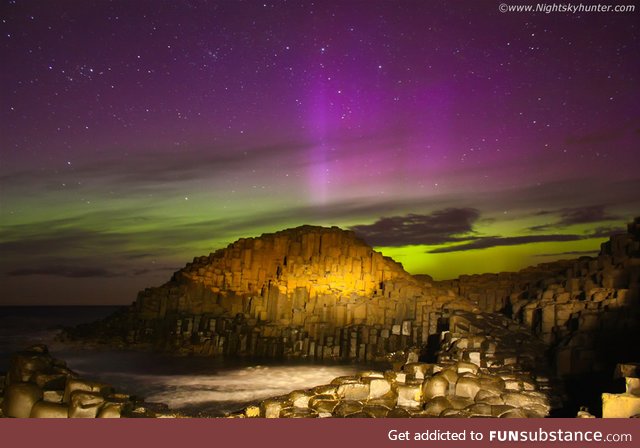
{"points": [[136, 135]]}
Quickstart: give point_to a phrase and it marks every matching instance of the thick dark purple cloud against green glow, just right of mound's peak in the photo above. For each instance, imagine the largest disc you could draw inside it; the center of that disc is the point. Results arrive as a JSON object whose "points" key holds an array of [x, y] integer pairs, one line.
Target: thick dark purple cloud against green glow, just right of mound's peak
{"points": [[442, 226]]}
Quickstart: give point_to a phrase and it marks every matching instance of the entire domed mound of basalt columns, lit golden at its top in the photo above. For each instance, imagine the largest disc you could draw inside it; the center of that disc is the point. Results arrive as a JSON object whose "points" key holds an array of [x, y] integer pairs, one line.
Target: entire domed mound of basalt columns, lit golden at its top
{"points": [[305, 292]]}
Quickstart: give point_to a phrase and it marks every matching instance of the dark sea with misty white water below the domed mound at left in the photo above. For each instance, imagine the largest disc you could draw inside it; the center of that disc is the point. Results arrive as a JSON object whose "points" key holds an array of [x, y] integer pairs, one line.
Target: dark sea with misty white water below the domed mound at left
{"points": [[194, 386]]}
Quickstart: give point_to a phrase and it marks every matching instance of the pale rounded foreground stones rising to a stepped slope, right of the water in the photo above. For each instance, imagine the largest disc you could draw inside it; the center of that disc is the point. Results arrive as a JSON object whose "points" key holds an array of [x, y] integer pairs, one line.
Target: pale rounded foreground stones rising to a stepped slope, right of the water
{"points": [[487, 366]]}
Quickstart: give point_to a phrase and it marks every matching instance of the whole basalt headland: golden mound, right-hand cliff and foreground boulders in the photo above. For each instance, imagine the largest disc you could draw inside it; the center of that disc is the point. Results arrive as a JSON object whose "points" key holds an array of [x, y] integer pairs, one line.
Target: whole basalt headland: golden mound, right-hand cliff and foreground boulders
{"points": [[523, 344]]}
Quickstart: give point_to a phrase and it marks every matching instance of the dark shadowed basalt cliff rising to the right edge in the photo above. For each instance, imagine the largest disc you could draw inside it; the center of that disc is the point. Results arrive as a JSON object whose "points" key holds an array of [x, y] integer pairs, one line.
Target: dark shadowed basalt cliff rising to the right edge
{"points": [[582, 308]]}
